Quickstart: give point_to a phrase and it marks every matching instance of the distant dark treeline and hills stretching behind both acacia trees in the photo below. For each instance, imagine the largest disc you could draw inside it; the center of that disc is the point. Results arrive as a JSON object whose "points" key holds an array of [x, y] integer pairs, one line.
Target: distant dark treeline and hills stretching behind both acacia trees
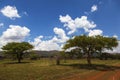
{"points": [[34, 55]]}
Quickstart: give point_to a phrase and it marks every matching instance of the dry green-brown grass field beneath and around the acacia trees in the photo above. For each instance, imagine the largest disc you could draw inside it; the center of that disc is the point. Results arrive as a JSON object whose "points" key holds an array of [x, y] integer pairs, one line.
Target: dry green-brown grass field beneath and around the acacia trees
{"points": [[45, 69]]}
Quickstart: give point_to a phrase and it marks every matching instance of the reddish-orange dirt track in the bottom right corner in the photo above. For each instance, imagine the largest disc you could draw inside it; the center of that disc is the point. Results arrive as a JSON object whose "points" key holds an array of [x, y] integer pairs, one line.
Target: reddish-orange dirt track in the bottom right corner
{"points": [[97, 75]]}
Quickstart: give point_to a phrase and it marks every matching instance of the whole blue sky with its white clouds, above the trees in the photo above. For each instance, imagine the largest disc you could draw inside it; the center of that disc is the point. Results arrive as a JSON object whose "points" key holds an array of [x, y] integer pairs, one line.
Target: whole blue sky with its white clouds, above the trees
{"points": [[51, 22]]}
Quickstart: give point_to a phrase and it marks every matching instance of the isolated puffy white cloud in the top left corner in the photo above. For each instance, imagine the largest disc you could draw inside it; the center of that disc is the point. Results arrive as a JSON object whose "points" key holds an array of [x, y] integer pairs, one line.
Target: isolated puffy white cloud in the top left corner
{"points": [[10, 12]]}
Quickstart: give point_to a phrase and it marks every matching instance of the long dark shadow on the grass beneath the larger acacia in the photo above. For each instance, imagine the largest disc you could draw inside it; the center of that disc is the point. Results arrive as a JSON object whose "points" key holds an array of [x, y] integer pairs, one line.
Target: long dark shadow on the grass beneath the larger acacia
{"points": [[100, 67]]}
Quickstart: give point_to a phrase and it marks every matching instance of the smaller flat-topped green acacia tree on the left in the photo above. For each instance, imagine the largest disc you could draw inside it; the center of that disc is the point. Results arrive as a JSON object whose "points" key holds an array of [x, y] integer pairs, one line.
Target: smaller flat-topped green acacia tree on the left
{"points": [[17, 49]]}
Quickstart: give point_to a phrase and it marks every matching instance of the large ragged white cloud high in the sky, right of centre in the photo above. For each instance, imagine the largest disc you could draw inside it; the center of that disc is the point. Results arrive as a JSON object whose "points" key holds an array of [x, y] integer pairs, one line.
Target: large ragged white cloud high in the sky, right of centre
{"points": [[79, 22]]}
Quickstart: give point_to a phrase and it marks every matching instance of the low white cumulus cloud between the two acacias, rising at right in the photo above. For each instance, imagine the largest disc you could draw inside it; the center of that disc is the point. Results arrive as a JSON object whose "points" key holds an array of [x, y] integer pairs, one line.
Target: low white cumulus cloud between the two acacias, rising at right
{"points": [[53, 44]]}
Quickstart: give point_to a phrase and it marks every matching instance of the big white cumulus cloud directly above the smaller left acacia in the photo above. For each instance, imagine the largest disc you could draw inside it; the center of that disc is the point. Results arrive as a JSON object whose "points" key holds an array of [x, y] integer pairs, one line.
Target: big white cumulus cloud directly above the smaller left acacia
{"points": [[14, 33]]}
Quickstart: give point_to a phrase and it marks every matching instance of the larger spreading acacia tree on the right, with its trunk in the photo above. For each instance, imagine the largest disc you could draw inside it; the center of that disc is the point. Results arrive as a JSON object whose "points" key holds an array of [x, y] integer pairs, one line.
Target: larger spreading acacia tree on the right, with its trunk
{"points": [[89, 45]]}
